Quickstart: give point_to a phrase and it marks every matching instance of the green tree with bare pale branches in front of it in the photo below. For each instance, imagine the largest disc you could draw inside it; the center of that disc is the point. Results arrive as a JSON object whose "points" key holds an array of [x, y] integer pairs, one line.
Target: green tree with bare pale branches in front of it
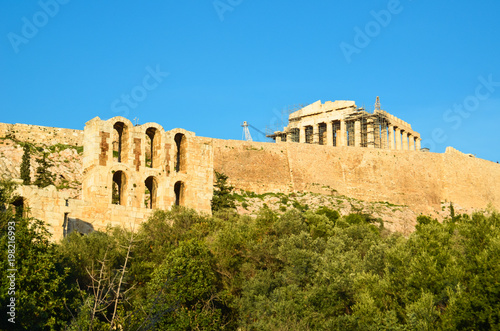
{"points": [[99, 264]]}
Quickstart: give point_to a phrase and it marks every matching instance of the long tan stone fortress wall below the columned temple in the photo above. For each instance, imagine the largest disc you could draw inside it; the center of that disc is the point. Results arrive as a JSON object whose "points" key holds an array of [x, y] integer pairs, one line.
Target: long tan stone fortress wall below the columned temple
{"points": [[417, 179]]}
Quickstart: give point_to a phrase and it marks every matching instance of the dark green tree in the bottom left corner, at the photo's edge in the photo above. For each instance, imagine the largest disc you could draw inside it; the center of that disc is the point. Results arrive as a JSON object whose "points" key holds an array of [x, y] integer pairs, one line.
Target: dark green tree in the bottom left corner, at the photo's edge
{"points": [[42, 289]]}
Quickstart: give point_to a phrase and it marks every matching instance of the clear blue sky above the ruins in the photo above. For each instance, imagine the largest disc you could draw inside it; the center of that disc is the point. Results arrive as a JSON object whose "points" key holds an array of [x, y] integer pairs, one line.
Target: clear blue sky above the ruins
{"points": [[230, 60]]}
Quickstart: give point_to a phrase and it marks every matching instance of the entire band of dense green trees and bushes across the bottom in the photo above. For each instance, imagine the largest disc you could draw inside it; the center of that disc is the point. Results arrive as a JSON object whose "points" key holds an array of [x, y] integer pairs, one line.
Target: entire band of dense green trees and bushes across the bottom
{"points": [[303, 270]]}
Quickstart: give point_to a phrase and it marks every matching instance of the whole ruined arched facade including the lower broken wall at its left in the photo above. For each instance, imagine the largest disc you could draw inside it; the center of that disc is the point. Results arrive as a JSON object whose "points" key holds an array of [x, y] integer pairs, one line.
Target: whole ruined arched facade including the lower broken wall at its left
{"points": [[128, 171]]}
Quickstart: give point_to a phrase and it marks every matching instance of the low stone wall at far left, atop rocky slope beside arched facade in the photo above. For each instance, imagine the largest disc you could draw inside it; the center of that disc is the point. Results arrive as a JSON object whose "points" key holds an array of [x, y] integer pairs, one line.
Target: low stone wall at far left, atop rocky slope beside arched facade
{"points": [[42, 134]]}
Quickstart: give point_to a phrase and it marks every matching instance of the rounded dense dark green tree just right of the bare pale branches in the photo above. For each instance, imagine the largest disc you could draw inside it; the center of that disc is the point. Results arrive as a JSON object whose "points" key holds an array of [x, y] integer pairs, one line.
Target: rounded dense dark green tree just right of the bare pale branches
{"points": [[184, 291]]}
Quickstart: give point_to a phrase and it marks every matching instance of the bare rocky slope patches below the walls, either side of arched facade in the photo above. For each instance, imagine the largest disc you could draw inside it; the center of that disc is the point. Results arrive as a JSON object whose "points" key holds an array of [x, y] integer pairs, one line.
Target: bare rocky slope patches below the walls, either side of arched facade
{"points": [[67, 165]]}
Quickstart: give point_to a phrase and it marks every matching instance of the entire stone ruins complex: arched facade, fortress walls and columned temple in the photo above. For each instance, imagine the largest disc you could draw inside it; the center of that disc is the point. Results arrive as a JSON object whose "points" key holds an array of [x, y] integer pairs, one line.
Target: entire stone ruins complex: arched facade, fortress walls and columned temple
{"points": [[129, 170]]}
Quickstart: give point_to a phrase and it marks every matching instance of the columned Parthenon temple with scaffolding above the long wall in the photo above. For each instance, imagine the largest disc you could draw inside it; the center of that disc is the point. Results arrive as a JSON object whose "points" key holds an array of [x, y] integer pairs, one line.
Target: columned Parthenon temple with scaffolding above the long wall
{"points": [[342, 123]]}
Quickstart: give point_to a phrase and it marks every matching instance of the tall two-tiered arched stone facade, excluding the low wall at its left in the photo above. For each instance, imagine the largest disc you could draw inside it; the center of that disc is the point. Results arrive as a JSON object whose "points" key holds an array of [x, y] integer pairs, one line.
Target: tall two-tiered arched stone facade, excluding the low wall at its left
{"points": [[144, 166]]}
